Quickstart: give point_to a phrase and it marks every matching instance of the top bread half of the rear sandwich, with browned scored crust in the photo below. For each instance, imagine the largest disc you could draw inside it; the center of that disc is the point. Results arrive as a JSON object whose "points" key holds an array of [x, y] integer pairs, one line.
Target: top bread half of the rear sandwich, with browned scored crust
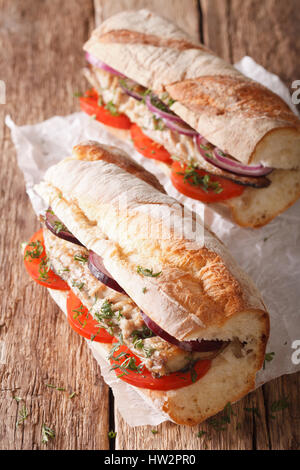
{"points": [[233, 112]]}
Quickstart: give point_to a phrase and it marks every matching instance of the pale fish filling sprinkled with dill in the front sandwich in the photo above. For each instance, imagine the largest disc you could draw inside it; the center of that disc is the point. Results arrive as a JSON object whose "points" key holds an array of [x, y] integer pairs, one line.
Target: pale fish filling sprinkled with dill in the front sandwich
{"points": [[116, 312]]}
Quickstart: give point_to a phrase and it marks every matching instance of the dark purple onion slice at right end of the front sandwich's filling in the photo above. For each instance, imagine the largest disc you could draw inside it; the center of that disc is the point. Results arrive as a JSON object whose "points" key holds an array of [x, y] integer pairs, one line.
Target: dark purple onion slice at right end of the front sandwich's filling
{"points": [[199, 346]]}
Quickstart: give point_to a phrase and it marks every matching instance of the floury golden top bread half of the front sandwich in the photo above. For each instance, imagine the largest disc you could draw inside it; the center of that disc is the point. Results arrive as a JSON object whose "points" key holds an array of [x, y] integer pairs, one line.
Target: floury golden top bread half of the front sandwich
{"points": [[200, 293]]}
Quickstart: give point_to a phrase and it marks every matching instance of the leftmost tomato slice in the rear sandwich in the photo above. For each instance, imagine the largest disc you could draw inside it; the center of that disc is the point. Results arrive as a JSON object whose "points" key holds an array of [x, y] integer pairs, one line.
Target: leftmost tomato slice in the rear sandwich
{"points": [[89, 104]]}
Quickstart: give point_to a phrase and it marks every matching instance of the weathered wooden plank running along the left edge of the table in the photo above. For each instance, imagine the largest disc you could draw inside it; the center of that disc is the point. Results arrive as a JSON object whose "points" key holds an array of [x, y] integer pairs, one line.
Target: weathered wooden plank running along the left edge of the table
{"points": [[41, 58]]}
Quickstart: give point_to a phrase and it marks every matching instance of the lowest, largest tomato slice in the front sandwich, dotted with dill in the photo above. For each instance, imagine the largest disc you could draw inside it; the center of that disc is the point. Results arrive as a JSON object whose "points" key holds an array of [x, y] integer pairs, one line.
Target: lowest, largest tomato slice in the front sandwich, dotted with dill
{"points": [[142, 378]]}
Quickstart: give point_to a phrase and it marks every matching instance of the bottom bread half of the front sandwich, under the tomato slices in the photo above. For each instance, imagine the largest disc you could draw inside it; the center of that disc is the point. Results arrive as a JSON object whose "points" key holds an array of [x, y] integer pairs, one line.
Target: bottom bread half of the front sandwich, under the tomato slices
{"points": [[228, 380]]}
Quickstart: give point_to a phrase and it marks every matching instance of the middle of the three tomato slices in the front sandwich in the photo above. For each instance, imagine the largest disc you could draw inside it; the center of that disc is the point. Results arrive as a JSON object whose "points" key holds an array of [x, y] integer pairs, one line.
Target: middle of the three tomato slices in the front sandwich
{"points": [[83, 323]]}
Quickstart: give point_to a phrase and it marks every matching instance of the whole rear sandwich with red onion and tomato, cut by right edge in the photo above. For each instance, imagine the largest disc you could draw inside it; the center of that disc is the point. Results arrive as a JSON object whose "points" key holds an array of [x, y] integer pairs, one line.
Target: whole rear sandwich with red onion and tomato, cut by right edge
{"points": [[223, 138]]}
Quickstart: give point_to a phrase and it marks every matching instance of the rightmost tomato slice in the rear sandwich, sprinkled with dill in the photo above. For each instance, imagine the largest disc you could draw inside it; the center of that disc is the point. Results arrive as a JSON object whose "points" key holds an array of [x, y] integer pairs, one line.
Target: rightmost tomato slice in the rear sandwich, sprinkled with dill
{"points": [[210, 189]]}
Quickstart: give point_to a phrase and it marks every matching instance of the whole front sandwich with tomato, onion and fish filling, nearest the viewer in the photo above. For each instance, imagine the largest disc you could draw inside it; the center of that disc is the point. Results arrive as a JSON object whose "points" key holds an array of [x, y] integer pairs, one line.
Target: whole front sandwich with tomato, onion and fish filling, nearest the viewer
{"points": [[170, 310]]}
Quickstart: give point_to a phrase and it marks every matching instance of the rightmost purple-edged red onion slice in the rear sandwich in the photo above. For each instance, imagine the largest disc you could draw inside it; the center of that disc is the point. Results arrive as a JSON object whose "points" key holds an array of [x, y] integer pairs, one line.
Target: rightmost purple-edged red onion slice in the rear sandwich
{"points": [[217, 158]]}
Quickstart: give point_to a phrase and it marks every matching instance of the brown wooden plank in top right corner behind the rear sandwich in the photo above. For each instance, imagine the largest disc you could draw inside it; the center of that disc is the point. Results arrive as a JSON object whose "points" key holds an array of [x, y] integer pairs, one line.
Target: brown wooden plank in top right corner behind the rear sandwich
{"points": [[267, 31]]}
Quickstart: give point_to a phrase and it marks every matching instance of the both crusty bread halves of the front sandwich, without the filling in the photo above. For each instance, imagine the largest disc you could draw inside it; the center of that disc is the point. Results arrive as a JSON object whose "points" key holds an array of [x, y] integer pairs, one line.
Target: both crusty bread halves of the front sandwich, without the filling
{"points": [[201, 293]]}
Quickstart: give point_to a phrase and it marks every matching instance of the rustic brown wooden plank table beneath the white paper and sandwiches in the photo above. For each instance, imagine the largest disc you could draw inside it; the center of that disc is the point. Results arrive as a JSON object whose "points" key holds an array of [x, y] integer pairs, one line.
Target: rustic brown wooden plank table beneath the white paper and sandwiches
{"points": [[41, 59]]}
